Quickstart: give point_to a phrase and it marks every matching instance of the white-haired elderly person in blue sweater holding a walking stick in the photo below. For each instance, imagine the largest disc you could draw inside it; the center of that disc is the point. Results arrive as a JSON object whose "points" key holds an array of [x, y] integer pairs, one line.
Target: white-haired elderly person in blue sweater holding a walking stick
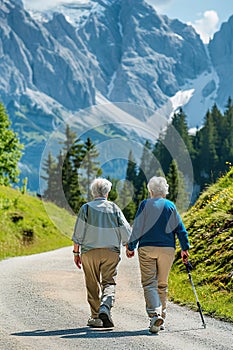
{"points": [[155, 228]]}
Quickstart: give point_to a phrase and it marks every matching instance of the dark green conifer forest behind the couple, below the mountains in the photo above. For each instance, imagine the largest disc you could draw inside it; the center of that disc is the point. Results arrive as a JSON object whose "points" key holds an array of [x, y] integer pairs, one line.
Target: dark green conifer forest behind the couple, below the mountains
{"points": [[210, 151]]}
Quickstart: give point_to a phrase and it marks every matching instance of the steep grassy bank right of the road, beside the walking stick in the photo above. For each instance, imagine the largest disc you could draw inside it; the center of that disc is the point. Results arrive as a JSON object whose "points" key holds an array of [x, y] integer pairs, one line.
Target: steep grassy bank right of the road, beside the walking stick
{"points": [[210, 226]]}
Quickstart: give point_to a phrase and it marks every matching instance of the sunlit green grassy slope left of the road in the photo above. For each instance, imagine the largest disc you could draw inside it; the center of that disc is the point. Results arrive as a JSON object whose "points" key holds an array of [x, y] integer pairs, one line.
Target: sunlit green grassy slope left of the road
{"points": [[25, 227]]}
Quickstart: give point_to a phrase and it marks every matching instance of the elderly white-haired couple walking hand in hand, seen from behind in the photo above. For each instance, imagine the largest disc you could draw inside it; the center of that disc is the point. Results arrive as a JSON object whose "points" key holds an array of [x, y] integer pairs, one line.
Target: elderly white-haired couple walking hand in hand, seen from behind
{"points": [[100, 230]]}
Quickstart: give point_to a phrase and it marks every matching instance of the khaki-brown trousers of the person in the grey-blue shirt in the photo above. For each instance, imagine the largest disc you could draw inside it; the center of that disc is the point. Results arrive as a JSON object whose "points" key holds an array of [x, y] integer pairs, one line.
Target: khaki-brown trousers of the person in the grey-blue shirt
{"points": [[100, 269]]}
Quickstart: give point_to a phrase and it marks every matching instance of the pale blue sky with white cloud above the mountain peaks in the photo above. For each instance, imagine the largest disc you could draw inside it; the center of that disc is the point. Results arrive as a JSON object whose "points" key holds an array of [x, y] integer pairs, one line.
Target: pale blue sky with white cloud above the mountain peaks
{"points": [[206, 16]]}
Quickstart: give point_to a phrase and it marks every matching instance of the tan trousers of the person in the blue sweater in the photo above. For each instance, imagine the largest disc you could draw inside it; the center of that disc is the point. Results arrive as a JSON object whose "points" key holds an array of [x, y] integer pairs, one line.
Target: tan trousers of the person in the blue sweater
{"points": [[155, 265]]}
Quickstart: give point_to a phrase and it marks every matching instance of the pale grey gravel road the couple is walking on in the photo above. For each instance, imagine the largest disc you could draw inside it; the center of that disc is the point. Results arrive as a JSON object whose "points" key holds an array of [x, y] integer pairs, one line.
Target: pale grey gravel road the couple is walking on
{"points": [[43, 307]]}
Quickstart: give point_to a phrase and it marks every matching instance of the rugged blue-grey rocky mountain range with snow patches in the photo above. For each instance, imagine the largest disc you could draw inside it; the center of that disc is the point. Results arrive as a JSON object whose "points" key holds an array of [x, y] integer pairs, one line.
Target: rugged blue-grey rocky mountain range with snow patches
{"points": [[67, 64]]}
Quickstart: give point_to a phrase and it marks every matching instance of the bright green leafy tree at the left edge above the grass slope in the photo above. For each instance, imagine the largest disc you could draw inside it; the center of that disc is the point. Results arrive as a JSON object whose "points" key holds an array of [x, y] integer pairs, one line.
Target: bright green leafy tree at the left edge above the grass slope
{"points": [[10, 150]]}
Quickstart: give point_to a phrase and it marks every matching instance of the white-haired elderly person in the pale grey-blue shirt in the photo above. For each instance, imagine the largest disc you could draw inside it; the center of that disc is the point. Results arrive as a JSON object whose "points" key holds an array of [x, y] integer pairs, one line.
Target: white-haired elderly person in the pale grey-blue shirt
{"points": [[99, 231]]}
